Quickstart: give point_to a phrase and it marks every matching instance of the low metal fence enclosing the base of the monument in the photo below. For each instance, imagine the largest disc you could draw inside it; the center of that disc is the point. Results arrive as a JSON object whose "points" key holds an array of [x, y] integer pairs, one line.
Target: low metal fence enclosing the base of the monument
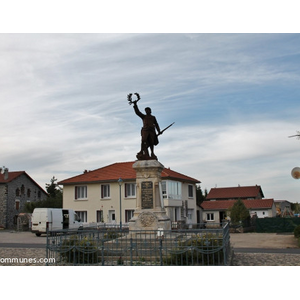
{"points": [[115, 247]]}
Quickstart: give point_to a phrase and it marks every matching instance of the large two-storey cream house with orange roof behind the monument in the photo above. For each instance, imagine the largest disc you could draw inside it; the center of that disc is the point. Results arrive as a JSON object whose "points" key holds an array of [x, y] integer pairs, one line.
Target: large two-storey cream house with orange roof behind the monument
{"points": [[96, 195]]}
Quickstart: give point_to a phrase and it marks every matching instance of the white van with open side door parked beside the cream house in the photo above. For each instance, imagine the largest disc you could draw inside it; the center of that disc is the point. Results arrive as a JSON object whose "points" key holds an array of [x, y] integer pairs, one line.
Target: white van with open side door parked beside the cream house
{"points": [[44, 219]]}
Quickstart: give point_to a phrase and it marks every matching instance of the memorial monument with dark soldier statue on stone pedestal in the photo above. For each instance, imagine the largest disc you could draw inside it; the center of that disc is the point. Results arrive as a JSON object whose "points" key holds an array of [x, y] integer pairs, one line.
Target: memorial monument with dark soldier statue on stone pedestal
{"points": [[149, 213]]}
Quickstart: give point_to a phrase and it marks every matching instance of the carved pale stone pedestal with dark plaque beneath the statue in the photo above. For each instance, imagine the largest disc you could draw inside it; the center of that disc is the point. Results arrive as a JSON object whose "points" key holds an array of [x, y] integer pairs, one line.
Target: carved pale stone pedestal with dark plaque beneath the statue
{"points": [[149, 213]]}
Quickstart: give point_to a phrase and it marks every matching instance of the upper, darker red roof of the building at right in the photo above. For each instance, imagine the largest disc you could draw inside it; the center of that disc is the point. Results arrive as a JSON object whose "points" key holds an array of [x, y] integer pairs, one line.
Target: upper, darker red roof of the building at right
{"points": [[235, 192]]}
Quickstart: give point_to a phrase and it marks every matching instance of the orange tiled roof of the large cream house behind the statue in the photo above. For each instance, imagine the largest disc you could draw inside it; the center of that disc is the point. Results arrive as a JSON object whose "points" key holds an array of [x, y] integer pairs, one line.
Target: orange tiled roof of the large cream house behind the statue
{"points": [[122, 170]]}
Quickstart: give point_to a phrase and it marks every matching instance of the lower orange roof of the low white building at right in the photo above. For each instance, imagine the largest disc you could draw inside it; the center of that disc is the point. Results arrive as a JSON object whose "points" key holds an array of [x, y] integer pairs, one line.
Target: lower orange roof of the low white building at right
{"points": [[226, 204]]}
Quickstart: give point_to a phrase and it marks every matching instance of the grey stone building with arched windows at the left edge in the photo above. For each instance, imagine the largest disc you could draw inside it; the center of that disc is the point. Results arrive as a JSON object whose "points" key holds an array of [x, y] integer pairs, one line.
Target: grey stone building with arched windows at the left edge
{"points": [[18, 189]]}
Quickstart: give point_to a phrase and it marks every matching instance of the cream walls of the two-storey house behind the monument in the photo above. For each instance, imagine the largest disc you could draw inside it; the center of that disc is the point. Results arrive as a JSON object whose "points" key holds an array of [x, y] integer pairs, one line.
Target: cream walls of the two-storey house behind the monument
{"points": [[90, 202]]}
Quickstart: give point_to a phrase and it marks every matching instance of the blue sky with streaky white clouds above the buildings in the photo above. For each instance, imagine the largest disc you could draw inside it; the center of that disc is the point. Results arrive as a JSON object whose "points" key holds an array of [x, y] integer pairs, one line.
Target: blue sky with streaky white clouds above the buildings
{"points": [[234, 99]]}
